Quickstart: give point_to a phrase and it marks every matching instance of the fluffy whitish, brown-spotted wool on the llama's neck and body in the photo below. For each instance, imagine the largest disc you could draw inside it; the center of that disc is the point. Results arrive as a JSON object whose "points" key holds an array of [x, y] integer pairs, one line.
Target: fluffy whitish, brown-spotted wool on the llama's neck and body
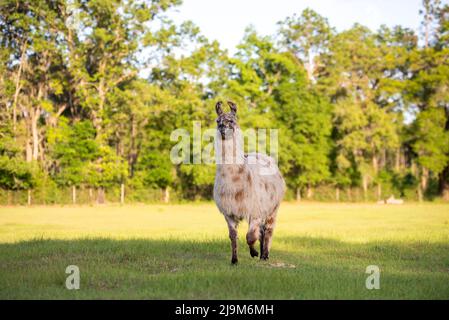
{"points": [[248, 186]]}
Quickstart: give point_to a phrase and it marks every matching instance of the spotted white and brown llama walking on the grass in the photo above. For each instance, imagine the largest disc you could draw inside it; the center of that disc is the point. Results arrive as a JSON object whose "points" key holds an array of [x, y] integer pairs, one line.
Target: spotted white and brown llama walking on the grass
{"points": [[247, 186]]}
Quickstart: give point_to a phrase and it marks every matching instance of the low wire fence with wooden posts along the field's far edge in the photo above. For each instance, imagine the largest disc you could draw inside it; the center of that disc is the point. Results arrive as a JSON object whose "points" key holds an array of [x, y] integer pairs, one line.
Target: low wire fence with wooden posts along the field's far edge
{"points": [[126, 194]]}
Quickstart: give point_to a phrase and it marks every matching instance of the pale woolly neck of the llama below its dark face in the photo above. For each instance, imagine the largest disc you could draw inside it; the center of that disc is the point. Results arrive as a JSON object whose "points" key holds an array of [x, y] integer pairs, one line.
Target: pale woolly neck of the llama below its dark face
{"points": [[229, 152]]}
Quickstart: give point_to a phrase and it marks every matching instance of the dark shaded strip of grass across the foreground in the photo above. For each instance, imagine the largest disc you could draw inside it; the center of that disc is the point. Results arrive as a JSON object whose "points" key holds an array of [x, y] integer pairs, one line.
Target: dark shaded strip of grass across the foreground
{"points": [[299, 268]]}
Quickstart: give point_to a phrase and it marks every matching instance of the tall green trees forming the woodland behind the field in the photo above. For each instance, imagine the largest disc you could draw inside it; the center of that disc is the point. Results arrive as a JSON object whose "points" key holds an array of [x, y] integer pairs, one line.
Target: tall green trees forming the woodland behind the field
{"points": [[91, 90]]}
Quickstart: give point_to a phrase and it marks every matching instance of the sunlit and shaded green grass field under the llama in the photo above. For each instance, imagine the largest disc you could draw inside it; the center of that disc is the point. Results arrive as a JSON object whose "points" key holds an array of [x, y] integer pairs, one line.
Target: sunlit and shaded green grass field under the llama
{"points": [[320, 251]]}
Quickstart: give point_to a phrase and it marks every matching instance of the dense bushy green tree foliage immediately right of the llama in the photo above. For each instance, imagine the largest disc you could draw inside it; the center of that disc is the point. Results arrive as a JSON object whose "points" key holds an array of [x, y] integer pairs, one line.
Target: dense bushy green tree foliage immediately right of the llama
{"points": [[305, 123]]}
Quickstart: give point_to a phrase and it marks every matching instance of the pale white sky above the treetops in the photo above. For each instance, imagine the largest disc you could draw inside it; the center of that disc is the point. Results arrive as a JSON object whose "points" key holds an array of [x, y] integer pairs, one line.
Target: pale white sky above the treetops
{"points": [[225, 20]]}
